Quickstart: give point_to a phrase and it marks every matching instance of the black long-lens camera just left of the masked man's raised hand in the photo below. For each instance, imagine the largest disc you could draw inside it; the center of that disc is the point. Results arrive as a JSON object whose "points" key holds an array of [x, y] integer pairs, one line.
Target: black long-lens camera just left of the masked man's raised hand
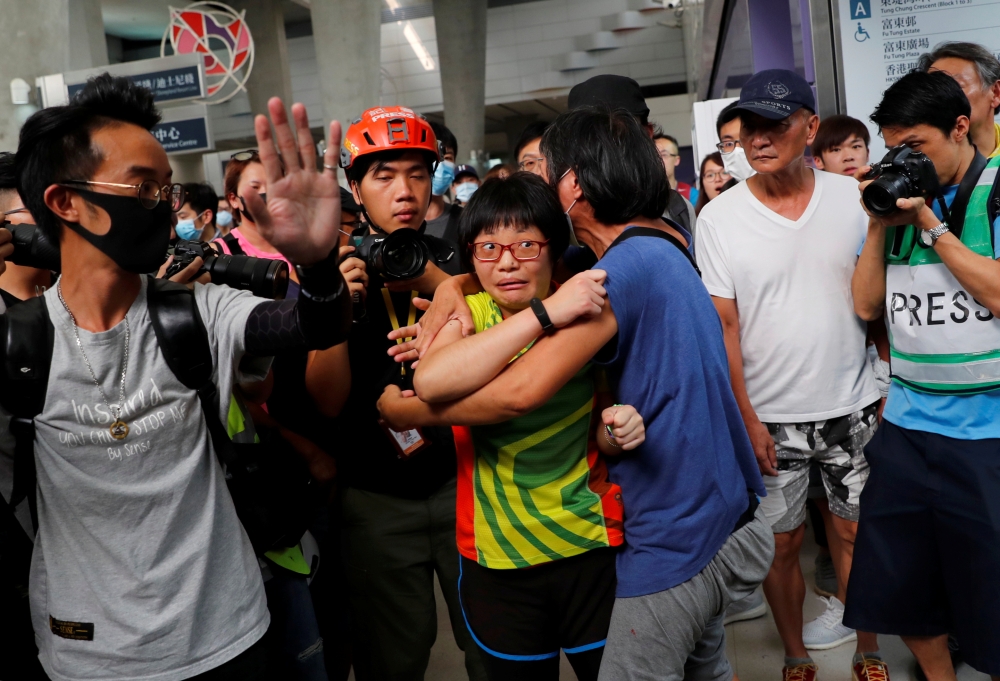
{"points": [[263, 278]]}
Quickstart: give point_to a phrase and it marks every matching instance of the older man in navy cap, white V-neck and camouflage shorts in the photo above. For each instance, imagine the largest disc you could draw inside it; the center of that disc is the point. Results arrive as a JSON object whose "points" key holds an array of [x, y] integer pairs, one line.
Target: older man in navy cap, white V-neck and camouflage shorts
{"points": [[777, 253]]}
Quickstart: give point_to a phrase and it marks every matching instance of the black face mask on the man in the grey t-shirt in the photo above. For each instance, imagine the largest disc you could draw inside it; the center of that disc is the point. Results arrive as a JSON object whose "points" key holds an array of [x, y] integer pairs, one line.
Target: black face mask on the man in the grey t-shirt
{"points": [[138, 238]]}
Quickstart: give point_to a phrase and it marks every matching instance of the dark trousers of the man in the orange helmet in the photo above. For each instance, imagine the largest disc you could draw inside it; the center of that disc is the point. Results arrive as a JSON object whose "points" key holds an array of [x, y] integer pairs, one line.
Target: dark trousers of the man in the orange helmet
{"points": [[391, 549]]}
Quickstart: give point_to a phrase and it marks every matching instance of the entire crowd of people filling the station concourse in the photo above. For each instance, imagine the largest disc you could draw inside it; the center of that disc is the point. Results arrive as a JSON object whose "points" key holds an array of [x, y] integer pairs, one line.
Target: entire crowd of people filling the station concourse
{"points": [[592, 402]]}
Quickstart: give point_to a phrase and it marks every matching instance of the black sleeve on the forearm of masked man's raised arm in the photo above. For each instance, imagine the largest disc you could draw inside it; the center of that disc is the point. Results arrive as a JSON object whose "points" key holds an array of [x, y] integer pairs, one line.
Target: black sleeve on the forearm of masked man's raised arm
{"points": [[319, 319]]}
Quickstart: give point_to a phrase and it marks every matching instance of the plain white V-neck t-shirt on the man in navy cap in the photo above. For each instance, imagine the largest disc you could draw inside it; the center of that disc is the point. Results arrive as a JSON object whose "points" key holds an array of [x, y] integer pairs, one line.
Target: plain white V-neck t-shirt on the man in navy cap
{"points": [[803, 347]]}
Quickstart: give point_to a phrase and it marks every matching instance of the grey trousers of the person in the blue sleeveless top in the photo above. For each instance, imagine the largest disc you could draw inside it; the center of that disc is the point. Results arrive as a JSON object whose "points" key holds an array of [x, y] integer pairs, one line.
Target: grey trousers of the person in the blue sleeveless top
{"points": [[678, 634]]}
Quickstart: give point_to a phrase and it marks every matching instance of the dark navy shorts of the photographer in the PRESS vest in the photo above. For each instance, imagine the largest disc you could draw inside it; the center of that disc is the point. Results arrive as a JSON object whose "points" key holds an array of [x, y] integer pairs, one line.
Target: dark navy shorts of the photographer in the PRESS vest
{"points": [[927, 555]]}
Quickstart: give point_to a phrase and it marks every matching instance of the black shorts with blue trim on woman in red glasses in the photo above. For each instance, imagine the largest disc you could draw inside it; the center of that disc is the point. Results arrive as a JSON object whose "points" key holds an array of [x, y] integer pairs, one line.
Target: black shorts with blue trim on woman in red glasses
{"points": [[529, 614]]}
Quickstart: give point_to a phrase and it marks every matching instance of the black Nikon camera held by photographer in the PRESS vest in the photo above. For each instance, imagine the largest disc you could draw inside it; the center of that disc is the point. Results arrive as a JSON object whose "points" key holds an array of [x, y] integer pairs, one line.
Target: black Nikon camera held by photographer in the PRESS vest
{"points": [[902, 174]]}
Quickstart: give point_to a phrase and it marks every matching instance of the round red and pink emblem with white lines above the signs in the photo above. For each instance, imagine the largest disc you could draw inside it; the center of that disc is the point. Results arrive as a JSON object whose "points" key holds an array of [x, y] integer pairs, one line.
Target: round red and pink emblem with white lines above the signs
{"points": [[217, 32]]}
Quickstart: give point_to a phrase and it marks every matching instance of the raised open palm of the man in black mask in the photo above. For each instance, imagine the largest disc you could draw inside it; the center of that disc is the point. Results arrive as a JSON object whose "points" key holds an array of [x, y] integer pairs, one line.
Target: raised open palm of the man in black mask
{"points": [[302, 213]]}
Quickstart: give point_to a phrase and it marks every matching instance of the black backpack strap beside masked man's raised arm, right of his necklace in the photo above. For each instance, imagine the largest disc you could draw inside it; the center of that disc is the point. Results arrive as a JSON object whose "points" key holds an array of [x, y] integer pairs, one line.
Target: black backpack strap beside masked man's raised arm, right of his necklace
{"points": [[183, 340]]}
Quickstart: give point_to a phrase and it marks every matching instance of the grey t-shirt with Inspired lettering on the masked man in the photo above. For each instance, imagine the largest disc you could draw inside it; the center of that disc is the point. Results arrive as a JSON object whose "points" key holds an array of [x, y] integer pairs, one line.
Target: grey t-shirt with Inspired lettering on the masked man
{"points": [[140, 560]]}
